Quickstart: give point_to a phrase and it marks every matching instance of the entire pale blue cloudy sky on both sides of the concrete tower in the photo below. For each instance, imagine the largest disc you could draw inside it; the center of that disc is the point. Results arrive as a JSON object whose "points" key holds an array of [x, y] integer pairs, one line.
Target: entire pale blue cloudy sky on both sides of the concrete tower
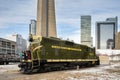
{"points": [[15, 16]]}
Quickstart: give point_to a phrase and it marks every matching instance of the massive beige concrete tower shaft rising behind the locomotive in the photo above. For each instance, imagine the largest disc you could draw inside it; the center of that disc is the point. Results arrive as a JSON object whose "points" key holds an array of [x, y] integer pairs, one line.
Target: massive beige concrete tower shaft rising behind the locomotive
{"points": [[46, 22]]}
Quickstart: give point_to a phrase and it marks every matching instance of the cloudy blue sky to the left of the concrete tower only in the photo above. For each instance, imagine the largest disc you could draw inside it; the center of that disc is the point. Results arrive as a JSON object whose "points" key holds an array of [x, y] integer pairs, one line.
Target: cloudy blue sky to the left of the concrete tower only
{"points": [[15, 16]]}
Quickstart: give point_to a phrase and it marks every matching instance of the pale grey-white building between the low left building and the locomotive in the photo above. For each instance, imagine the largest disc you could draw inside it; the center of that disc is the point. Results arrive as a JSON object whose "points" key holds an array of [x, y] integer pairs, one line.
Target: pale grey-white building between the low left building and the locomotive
{"points": [[21, 44]]}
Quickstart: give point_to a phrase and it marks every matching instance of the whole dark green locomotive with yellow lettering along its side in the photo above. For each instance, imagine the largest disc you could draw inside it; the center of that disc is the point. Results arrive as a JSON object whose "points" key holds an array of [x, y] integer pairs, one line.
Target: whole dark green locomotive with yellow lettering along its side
{"points": [[53, 53]]}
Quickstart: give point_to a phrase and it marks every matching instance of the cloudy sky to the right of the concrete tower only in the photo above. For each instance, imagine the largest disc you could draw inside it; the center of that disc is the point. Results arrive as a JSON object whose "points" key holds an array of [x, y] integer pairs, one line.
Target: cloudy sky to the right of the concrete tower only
{"points": [[68, 14]]}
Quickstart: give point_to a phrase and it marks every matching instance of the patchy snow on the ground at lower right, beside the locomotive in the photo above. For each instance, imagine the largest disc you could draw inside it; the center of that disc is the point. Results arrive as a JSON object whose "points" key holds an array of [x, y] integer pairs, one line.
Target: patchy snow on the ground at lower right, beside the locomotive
{"points": [[110, 72]]}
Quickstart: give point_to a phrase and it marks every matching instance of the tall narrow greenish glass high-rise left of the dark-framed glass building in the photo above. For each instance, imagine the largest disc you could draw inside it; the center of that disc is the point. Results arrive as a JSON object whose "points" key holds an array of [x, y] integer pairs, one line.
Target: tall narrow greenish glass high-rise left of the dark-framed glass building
{"points": [[86, 30]]}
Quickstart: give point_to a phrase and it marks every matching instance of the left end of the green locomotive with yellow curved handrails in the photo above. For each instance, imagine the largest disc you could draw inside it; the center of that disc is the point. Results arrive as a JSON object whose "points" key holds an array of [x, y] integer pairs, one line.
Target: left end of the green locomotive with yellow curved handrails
{"points": [[30, 57]]}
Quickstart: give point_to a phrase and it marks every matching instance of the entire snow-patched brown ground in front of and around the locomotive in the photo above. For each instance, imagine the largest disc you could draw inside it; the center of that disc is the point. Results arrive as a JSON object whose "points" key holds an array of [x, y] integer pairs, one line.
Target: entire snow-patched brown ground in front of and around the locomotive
{"points": [[102, 72]]}
